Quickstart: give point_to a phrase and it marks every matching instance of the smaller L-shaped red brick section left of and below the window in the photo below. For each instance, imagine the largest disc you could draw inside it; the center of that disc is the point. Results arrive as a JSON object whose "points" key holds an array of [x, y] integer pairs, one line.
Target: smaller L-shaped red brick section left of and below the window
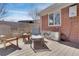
{"points": [[45, 26]]}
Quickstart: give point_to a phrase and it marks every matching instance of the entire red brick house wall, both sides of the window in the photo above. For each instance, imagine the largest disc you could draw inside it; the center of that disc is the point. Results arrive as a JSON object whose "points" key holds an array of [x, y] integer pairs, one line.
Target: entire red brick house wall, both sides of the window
{"points": [[69, 25]]}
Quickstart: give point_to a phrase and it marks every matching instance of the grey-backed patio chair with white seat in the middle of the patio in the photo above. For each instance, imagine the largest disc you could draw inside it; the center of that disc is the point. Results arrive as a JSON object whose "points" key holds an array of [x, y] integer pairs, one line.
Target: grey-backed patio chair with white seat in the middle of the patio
{"points": [[36, 37]]}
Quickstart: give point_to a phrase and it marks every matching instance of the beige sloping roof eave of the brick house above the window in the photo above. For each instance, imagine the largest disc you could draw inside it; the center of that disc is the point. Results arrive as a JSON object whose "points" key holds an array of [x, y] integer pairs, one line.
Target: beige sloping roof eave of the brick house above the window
{"points": [[54, 7]]}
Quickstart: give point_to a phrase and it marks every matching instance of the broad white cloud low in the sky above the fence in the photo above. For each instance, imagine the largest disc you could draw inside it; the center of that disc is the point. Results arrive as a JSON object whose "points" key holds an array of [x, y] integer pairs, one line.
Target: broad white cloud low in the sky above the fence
{"points": [[15, 15]]}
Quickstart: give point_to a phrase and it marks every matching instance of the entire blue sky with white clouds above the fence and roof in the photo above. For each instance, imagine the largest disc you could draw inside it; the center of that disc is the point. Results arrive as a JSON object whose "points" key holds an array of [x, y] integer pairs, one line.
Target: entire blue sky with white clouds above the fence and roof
{"points": [[19, 11]]}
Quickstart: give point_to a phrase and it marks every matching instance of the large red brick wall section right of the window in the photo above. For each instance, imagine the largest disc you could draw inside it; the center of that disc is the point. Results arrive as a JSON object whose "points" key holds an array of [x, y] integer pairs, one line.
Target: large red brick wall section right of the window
{"points": [[70, 25]]}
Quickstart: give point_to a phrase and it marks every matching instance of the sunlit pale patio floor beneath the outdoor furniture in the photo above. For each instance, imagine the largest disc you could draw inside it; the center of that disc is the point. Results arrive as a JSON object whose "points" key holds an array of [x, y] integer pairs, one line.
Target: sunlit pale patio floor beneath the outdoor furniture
{"points": [[56, 49]]}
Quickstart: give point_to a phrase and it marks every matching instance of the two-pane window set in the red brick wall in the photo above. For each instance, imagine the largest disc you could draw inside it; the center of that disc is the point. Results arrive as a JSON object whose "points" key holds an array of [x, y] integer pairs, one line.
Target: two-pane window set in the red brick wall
{"points": [[54, 19]]}
